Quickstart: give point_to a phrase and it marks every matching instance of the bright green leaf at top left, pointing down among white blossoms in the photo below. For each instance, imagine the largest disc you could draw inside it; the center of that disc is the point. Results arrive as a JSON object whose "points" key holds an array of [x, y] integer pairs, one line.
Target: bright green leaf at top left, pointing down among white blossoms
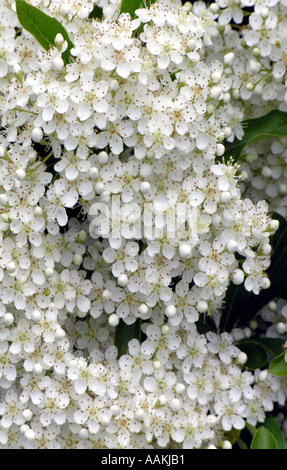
{"points": [[42, 27]]}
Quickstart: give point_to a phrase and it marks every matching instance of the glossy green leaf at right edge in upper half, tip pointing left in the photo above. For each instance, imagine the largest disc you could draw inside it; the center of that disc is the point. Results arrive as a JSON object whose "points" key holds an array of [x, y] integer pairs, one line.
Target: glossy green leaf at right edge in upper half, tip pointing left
{"points": [[272, 124]]}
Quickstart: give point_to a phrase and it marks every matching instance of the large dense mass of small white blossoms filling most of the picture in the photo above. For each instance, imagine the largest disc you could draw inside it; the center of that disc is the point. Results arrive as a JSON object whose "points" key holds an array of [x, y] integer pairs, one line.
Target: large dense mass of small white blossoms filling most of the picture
{"points": [[115, 208]]}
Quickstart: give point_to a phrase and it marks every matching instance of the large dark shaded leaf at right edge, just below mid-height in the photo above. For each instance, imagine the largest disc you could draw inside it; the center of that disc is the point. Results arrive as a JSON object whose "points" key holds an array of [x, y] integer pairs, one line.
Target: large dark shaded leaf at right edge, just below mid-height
{"points": [[240, 305]]}
